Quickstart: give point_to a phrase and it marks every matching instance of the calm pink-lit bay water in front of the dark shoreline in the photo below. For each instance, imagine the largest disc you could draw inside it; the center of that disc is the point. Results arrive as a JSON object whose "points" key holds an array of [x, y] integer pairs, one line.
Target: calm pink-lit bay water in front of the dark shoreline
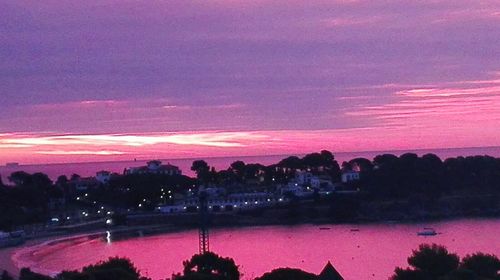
{"points": [[370, 253]]}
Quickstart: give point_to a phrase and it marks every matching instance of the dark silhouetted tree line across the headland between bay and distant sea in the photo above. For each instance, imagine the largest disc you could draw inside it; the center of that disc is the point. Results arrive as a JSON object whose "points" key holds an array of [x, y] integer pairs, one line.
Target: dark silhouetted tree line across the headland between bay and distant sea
{"points": [[419, 180]]}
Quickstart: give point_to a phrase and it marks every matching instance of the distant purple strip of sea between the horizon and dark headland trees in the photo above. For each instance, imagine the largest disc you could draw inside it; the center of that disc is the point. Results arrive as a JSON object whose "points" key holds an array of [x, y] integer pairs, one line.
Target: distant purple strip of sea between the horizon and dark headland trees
{"points": [[86, 169]]}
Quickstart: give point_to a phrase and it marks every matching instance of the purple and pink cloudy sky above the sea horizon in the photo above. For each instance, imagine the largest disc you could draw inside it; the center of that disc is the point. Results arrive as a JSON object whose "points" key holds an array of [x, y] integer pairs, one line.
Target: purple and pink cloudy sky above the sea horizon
{"points": [[111, 80]]}
